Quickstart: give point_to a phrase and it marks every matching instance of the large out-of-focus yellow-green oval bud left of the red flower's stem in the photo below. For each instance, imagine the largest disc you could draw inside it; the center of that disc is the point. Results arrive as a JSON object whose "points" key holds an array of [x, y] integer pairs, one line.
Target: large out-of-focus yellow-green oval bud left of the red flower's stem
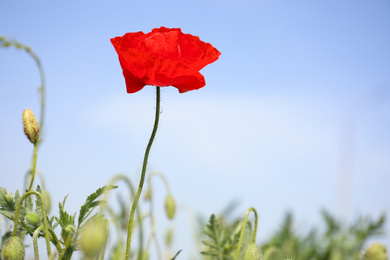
{"points": [[93, 236]]}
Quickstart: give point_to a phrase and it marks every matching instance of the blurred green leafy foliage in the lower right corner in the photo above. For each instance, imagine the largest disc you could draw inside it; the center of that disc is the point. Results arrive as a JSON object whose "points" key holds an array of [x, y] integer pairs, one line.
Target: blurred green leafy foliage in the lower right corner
{"points": [[336, 242]]}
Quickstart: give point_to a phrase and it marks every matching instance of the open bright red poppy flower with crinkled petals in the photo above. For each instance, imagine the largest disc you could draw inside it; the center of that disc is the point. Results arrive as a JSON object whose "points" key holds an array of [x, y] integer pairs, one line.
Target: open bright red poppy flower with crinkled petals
{"points": [[163, 57]]}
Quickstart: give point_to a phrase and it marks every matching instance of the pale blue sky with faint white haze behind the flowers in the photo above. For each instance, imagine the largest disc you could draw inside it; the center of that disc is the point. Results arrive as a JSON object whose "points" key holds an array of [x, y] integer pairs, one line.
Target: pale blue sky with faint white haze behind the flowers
{"points": [[268, 129]]}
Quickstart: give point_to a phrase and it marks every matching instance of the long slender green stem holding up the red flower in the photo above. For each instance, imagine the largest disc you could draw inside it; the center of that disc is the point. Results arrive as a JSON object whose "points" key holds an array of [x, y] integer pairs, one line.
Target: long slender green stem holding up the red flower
{"points": [[143, 173]]}
